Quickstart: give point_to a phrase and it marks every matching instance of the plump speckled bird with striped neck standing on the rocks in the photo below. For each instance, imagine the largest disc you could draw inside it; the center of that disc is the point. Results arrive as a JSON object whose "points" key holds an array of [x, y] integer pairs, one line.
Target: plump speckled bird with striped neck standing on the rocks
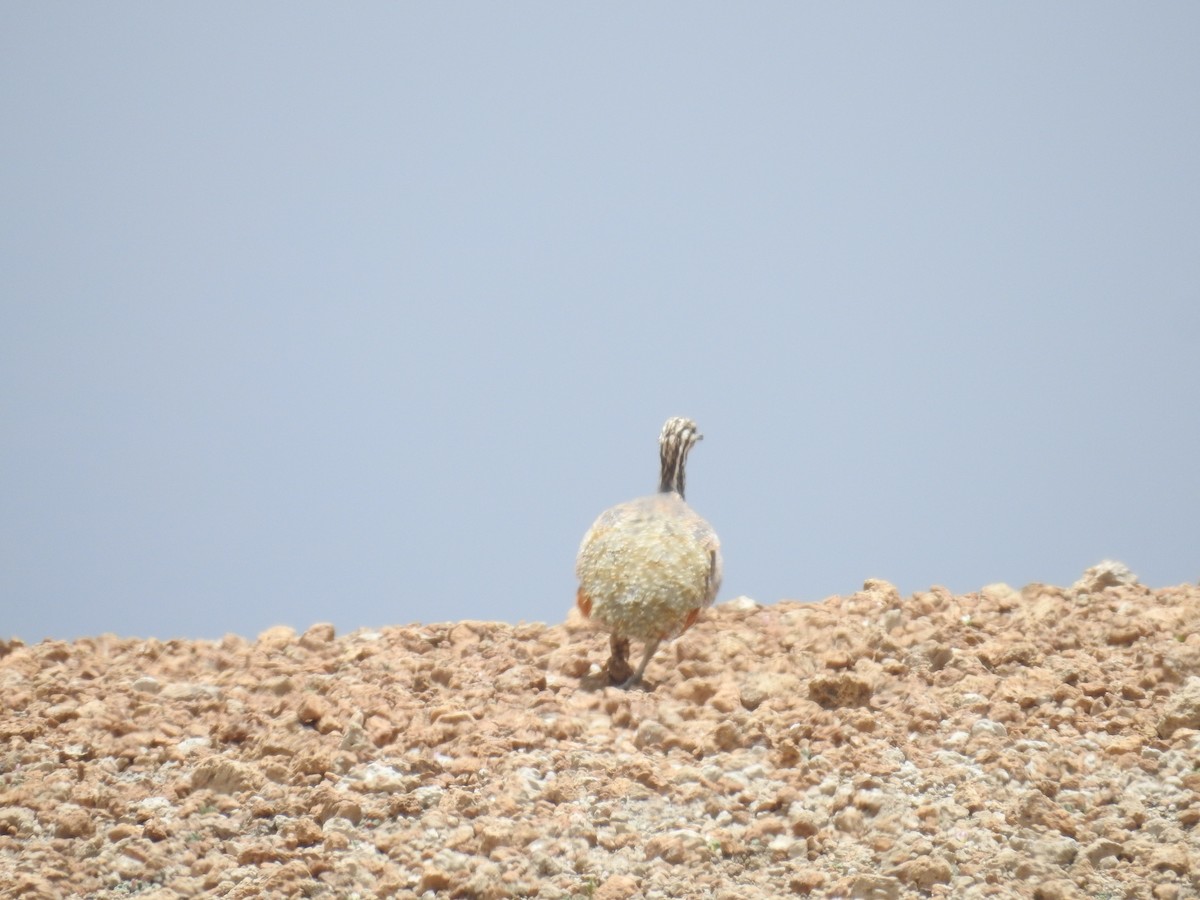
{"points": [[649, 567]]}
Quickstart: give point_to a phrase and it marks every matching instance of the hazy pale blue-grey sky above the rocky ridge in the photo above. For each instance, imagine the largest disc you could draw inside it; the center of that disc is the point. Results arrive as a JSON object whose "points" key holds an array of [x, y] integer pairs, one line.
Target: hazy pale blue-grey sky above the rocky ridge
{"points": [[363, 314]]}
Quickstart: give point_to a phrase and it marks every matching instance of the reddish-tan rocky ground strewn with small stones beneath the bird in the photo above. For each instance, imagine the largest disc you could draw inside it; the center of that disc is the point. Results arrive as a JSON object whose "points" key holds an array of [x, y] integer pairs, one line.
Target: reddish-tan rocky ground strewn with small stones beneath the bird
{"points": [[1041, 743]]}
